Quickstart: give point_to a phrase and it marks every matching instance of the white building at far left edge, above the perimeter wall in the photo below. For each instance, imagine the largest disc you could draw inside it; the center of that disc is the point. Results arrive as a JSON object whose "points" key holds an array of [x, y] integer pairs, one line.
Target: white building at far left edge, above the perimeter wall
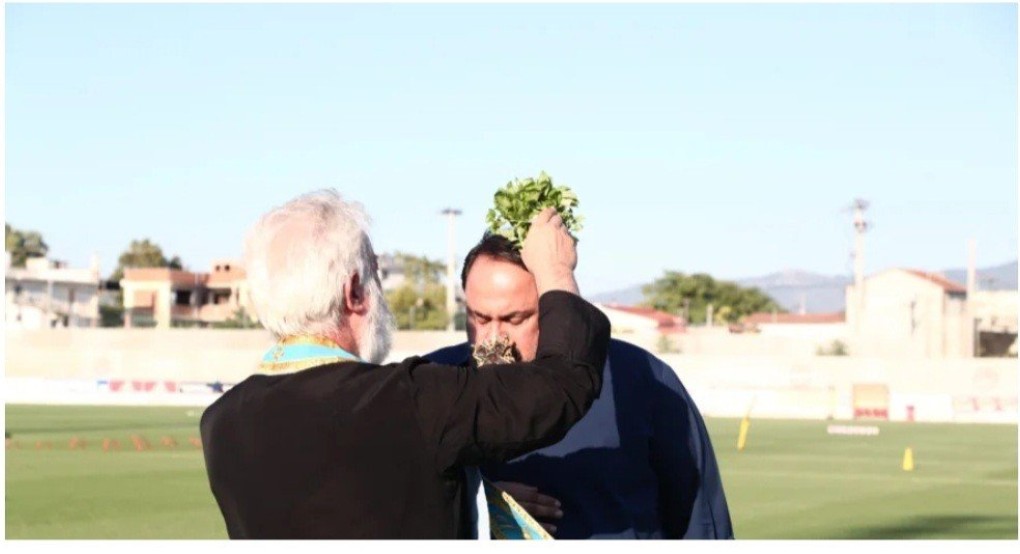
{"points": [[48, 294]]}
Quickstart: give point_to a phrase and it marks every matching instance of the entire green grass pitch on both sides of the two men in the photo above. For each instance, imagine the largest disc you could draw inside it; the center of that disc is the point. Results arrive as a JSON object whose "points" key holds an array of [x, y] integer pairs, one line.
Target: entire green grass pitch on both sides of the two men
{"points": [[793, 481]]}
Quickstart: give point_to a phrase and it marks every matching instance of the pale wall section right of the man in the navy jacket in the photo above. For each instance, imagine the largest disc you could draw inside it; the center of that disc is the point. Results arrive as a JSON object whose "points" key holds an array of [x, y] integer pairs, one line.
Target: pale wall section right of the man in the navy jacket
{"points": [[822, 387]]}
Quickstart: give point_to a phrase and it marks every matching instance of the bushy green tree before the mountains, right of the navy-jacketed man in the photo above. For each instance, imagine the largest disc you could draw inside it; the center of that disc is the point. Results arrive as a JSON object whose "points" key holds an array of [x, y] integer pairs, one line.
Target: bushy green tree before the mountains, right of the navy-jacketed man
{"points": [[676, 292]]}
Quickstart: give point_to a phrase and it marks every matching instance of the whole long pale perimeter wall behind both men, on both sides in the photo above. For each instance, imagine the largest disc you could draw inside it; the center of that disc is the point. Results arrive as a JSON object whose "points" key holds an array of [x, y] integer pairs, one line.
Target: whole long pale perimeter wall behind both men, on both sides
{"points": [[65, 366]]}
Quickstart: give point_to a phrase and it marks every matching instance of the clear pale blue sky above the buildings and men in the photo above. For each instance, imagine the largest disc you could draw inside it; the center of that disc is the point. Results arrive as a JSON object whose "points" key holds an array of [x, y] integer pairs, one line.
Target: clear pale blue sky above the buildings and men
{"points": [[726, 139]]}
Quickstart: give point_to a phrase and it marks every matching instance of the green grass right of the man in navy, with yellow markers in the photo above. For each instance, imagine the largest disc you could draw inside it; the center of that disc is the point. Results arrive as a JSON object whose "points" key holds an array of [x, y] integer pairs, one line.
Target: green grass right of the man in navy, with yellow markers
{"points": [[793, 481]]}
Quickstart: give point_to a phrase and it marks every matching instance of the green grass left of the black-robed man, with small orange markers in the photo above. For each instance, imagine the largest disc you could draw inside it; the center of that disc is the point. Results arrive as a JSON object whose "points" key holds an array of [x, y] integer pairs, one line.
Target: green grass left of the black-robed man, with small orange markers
{"points": [[91, 494]]}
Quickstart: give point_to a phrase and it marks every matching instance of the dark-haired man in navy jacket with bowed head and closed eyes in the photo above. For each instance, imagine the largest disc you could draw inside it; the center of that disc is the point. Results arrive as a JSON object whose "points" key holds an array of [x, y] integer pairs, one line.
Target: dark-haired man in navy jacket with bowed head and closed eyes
{"points": [[639, 466]]}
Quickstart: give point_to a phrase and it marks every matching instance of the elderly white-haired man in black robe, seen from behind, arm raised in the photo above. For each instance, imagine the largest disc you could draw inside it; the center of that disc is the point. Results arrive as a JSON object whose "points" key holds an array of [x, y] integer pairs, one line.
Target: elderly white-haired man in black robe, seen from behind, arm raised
{"points": [[325, 443]]}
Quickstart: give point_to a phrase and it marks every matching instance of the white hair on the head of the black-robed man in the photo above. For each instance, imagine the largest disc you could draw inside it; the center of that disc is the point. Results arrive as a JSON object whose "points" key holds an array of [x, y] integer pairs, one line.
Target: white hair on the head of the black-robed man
{"points": [[298, 258]]}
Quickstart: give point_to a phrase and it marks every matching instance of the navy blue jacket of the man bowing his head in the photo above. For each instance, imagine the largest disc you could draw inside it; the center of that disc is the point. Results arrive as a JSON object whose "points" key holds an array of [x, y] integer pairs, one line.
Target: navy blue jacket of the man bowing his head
{"points": [[639, 466]]}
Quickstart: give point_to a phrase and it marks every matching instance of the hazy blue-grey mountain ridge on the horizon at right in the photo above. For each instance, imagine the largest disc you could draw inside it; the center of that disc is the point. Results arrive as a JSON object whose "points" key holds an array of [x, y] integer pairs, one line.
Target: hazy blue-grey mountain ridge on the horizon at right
{"points": [[823, 294]]}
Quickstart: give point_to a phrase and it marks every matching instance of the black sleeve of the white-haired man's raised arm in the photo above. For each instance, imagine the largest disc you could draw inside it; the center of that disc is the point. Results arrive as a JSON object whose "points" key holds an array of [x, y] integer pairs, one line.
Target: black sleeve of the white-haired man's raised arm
{"points": [[498, 413]]}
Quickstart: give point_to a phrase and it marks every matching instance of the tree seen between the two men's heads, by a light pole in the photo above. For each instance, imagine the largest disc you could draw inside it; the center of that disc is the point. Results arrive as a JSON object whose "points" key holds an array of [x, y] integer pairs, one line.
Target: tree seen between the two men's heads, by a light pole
{"points": [[421, 303]]}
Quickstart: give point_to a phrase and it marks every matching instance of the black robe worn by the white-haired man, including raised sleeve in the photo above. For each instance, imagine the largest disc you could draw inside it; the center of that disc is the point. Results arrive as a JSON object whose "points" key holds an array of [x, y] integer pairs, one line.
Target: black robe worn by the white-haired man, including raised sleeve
{"points": [[362, 451]]}
